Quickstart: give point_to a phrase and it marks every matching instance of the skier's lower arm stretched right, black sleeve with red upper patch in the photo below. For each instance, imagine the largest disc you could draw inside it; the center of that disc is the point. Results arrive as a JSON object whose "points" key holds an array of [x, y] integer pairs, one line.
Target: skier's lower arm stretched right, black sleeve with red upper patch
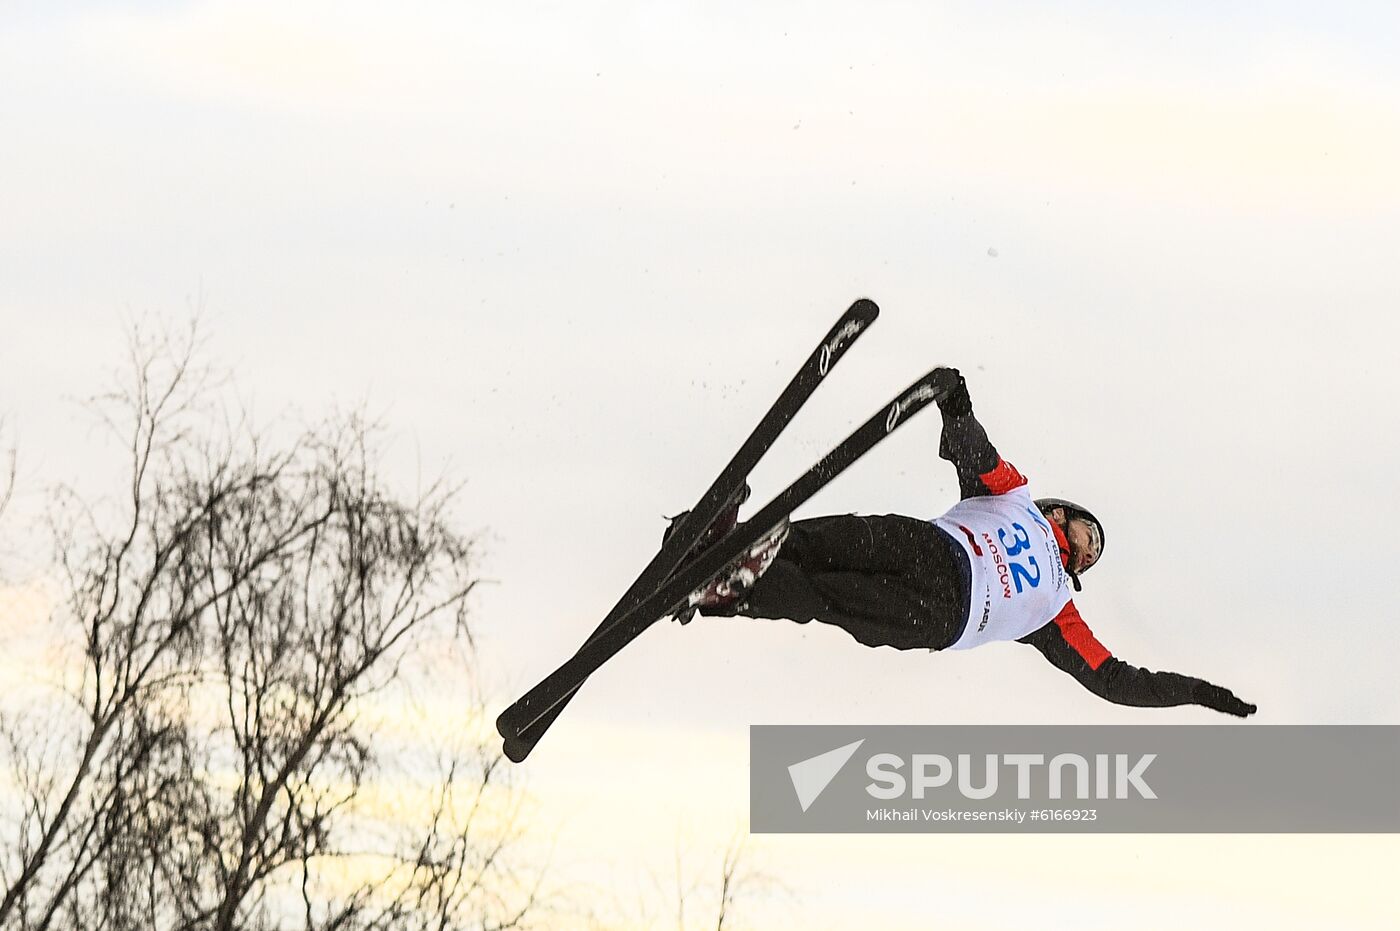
{"points": [[1069, 643]]}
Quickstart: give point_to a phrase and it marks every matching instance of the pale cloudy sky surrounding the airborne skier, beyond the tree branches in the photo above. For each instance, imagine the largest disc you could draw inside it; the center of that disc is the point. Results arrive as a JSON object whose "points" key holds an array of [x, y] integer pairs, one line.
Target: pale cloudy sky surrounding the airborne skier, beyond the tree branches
{"points": [[573, 251]]}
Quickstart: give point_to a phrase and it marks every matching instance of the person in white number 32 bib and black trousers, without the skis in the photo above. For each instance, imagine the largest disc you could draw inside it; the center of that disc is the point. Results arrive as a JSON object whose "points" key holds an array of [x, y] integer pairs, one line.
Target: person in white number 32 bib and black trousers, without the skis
{"points": [[997, 566]]}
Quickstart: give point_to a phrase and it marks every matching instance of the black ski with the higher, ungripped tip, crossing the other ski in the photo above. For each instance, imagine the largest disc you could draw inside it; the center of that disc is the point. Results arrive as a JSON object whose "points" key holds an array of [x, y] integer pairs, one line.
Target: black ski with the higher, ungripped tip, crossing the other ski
{"points": [[520, 717]]}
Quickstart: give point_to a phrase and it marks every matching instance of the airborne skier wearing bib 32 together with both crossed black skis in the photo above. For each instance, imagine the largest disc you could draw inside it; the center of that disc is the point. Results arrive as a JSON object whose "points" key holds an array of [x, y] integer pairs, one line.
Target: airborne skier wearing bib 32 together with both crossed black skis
{"points": [[999, 566]]}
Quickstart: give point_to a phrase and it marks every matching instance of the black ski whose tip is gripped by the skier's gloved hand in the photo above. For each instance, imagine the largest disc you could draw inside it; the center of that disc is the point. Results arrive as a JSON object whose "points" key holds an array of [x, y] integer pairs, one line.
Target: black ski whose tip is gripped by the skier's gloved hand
{"points": [[674, 594]]}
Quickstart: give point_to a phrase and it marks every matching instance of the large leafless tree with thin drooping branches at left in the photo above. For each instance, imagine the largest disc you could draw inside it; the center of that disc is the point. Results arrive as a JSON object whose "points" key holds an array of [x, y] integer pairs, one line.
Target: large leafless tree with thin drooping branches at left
{"points": [[236, 611]]}
